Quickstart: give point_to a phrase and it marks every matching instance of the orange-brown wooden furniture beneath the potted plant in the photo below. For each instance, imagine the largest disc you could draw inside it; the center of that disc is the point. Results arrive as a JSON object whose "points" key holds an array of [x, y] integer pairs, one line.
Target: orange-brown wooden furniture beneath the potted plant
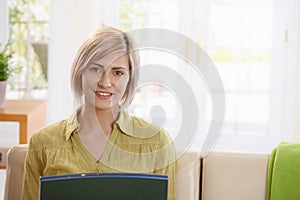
{"points": [[31, 114]]}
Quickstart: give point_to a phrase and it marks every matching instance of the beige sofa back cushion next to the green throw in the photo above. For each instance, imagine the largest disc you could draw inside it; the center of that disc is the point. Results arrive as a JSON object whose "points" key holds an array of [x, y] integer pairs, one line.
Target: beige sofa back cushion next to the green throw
{"points": [[234, 176]]}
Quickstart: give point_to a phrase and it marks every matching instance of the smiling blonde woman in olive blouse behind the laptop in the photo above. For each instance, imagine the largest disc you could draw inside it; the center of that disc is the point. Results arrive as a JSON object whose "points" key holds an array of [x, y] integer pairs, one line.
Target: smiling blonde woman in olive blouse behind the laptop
{"points": [[101, 136]]}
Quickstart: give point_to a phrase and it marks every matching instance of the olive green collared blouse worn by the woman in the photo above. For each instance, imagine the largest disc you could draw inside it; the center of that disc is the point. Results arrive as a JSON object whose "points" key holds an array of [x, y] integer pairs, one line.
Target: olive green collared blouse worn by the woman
{"points": [[134, 146]]}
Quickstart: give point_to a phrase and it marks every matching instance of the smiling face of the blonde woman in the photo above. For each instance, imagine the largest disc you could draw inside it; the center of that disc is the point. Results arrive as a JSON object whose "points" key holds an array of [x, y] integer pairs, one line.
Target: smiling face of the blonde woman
{"points": [[104, 82]]}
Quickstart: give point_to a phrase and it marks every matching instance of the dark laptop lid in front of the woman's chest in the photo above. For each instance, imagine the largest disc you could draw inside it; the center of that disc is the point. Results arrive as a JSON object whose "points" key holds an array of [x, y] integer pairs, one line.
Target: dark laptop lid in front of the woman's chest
{"points": [[107, 186]]}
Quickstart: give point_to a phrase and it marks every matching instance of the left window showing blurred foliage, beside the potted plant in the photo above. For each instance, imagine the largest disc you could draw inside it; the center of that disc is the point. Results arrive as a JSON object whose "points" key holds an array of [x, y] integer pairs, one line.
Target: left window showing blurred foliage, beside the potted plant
{"points": [[29, 34]]}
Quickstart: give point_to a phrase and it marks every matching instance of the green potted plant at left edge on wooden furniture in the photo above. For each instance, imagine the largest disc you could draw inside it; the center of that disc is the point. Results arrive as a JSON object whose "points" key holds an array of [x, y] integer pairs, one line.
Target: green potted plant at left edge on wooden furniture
{"points": [[5, 71]]}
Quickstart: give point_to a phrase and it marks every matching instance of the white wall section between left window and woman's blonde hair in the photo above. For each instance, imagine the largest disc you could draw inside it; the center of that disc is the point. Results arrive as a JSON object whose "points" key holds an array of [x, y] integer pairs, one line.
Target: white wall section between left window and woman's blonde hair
{"points": [[71, 22]]}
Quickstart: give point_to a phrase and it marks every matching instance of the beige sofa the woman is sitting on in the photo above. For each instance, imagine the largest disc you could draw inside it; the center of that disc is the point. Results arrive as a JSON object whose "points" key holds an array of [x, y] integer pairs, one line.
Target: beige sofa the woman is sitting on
{"points": [[218, 176]]}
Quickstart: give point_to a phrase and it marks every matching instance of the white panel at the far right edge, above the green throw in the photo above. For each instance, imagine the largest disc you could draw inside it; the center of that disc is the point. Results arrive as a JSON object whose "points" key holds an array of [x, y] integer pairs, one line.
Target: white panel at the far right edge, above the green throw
{"points": [[285, 89]]}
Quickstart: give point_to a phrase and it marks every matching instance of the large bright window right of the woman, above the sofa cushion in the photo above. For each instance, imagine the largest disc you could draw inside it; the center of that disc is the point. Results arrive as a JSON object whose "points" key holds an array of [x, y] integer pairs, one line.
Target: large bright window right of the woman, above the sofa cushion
{"points": [[241, 46]]}
